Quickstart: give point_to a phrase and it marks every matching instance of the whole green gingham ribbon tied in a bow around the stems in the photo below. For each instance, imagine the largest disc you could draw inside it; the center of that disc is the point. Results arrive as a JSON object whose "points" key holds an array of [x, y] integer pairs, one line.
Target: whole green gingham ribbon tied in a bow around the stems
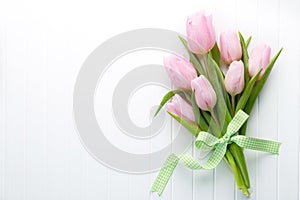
{"points": [[206, 141]]}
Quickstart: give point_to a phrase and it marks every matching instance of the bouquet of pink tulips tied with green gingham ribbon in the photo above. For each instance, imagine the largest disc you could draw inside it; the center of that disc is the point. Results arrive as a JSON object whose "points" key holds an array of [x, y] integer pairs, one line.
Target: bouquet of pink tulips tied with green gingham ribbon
{"points": [[213, 86]]}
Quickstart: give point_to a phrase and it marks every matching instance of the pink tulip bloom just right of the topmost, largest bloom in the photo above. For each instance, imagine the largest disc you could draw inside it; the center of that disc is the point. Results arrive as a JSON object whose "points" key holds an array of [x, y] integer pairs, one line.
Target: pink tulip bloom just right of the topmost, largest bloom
{"points": [[230, 46]]}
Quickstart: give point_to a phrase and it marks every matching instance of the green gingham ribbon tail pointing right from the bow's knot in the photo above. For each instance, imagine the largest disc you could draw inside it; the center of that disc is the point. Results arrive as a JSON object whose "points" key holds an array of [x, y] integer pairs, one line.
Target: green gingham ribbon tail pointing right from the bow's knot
{"points": [[257, 144]]}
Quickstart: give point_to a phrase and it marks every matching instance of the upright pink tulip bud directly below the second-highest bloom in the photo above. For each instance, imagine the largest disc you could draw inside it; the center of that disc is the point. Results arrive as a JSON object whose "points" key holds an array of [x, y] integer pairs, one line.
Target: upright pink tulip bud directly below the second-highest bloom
{"points": [[234, 79]]}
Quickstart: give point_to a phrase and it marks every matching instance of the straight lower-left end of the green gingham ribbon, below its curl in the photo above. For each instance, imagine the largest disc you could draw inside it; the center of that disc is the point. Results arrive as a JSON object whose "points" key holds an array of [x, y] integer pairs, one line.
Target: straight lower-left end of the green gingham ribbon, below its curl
{"points": [[165, 174]]}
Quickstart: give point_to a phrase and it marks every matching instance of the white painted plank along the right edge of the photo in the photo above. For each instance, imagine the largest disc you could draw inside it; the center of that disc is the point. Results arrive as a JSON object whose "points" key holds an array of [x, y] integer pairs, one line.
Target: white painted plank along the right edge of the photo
{"points": [[288, 110]]}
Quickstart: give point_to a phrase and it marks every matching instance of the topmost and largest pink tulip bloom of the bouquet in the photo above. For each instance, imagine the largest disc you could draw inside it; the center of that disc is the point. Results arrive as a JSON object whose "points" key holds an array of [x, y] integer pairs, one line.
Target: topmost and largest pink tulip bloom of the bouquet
{"points": [[201, 34]]}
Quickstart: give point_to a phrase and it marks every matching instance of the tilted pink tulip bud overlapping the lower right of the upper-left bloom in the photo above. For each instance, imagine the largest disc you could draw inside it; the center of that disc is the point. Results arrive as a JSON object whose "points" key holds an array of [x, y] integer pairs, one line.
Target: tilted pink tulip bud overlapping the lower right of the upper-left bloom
{"points": [[205, 95]]}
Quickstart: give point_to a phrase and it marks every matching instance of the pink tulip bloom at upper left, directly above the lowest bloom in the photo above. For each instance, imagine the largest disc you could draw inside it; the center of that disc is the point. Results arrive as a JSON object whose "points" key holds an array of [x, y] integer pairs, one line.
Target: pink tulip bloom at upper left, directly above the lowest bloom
{"points": [[180, 71]]}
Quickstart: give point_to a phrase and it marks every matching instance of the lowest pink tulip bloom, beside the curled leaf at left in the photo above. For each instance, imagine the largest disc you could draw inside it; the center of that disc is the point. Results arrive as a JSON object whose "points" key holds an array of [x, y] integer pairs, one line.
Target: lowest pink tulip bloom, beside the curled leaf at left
{"points": [[181, 108]]}
